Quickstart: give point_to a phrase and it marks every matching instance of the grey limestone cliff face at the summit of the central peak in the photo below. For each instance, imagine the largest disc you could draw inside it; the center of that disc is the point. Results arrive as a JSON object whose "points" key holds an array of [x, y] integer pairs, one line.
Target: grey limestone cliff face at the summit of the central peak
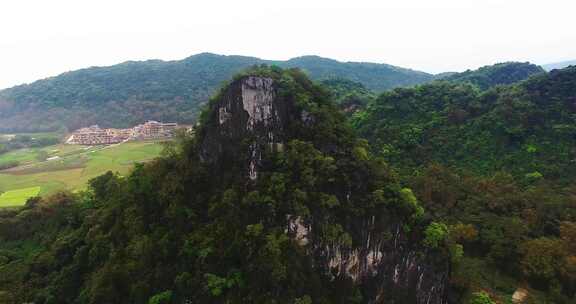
{"points": [[248, 118]]}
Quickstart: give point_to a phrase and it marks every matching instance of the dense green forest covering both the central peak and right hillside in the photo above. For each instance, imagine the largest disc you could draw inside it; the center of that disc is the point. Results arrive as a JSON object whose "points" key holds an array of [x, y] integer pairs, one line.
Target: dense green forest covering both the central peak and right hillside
{"points": [[463, 193]]}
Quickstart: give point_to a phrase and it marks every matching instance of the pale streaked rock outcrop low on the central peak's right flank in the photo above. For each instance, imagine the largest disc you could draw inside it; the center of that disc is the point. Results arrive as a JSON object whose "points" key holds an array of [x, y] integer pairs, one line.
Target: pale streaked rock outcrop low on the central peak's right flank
{"points": [[384, 261]]}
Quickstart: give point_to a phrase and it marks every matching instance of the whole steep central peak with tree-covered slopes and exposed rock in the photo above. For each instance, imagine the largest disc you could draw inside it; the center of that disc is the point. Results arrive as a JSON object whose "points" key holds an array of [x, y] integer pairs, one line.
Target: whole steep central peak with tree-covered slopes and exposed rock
{"points": [[274, 199]]}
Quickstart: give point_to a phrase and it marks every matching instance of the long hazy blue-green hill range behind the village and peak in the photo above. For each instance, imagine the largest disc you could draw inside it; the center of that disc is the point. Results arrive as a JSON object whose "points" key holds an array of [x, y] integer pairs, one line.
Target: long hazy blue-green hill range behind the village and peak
{"points": [[130, 92]]}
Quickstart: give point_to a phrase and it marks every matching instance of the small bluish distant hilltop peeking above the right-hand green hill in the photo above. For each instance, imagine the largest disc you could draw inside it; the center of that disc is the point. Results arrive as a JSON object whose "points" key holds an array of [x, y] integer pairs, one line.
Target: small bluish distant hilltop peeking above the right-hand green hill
{"points": [[493, 75]]}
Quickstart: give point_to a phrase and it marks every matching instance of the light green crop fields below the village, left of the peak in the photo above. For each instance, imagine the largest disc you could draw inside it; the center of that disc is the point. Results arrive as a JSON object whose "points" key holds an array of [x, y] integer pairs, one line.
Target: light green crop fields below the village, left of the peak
{"points": [[72, 166]]}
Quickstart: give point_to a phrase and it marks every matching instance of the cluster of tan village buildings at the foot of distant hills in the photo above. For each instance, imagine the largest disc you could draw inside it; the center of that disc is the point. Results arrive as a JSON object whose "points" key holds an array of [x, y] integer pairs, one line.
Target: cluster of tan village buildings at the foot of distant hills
{"points": [[94, 135]]}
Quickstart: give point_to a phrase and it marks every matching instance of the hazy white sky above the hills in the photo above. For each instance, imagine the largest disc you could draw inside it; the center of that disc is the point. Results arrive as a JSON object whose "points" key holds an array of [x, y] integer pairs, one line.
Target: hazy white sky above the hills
{"points": [[41, 38]]}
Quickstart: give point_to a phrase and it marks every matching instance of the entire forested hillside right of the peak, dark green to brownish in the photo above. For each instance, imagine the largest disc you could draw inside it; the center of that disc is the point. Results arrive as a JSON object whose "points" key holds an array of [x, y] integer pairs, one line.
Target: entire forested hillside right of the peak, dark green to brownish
{"points": [[496, 166]]}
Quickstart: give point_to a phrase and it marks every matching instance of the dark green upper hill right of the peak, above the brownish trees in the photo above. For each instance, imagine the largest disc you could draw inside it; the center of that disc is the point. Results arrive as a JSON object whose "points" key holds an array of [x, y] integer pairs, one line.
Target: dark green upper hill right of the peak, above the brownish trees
{"points": [[522, 128]]}
